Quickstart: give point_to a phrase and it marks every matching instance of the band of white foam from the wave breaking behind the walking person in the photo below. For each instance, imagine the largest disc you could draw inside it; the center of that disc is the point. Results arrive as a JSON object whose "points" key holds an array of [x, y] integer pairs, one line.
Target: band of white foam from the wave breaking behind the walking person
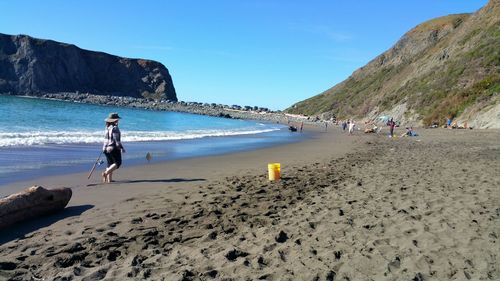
{"points": [[52, 137]]}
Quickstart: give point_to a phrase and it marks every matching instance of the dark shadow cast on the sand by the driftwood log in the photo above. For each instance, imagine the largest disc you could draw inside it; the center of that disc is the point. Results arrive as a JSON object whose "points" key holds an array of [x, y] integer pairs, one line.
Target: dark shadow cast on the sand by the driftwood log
{"points": [[22, 229]]}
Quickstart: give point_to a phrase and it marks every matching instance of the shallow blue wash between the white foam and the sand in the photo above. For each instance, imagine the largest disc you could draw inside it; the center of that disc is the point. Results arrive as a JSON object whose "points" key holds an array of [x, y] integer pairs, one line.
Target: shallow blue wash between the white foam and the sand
{"points": [[73, 158]]}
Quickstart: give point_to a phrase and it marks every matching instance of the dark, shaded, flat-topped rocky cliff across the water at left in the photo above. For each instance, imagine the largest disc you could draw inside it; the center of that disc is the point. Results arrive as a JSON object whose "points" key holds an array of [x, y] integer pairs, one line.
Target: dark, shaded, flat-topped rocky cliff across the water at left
{"points": [[30, 66]]}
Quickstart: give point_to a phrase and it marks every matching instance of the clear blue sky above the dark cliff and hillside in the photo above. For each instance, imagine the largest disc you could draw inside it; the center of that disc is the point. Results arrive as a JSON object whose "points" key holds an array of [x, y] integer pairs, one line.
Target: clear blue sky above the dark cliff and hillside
{"points": [[269, 53]]}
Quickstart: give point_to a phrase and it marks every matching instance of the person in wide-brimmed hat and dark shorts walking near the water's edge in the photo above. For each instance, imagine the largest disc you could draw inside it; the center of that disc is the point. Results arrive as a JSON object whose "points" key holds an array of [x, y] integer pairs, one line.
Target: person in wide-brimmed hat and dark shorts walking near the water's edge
{"points": [[112, 147]]}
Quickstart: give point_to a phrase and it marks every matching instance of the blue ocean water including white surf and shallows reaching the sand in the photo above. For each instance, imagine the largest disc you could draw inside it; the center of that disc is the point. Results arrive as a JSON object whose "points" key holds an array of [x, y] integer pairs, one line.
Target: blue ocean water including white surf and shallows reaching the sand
{"points": [[47, 137]]}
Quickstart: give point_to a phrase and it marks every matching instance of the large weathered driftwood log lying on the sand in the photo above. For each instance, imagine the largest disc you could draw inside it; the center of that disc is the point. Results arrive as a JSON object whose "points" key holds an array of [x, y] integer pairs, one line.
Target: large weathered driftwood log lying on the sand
{"points": [[33, 202]]}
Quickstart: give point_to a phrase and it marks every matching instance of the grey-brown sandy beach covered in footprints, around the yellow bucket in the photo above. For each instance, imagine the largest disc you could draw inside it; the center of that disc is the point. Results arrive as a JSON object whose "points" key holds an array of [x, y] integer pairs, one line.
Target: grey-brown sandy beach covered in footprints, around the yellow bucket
{"points": [[361, 207]]}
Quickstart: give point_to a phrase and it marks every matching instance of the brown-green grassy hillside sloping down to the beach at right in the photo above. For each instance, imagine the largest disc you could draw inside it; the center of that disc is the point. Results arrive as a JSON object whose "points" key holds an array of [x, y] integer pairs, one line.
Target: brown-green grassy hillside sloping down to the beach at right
{"points": [[446, 67]]}
